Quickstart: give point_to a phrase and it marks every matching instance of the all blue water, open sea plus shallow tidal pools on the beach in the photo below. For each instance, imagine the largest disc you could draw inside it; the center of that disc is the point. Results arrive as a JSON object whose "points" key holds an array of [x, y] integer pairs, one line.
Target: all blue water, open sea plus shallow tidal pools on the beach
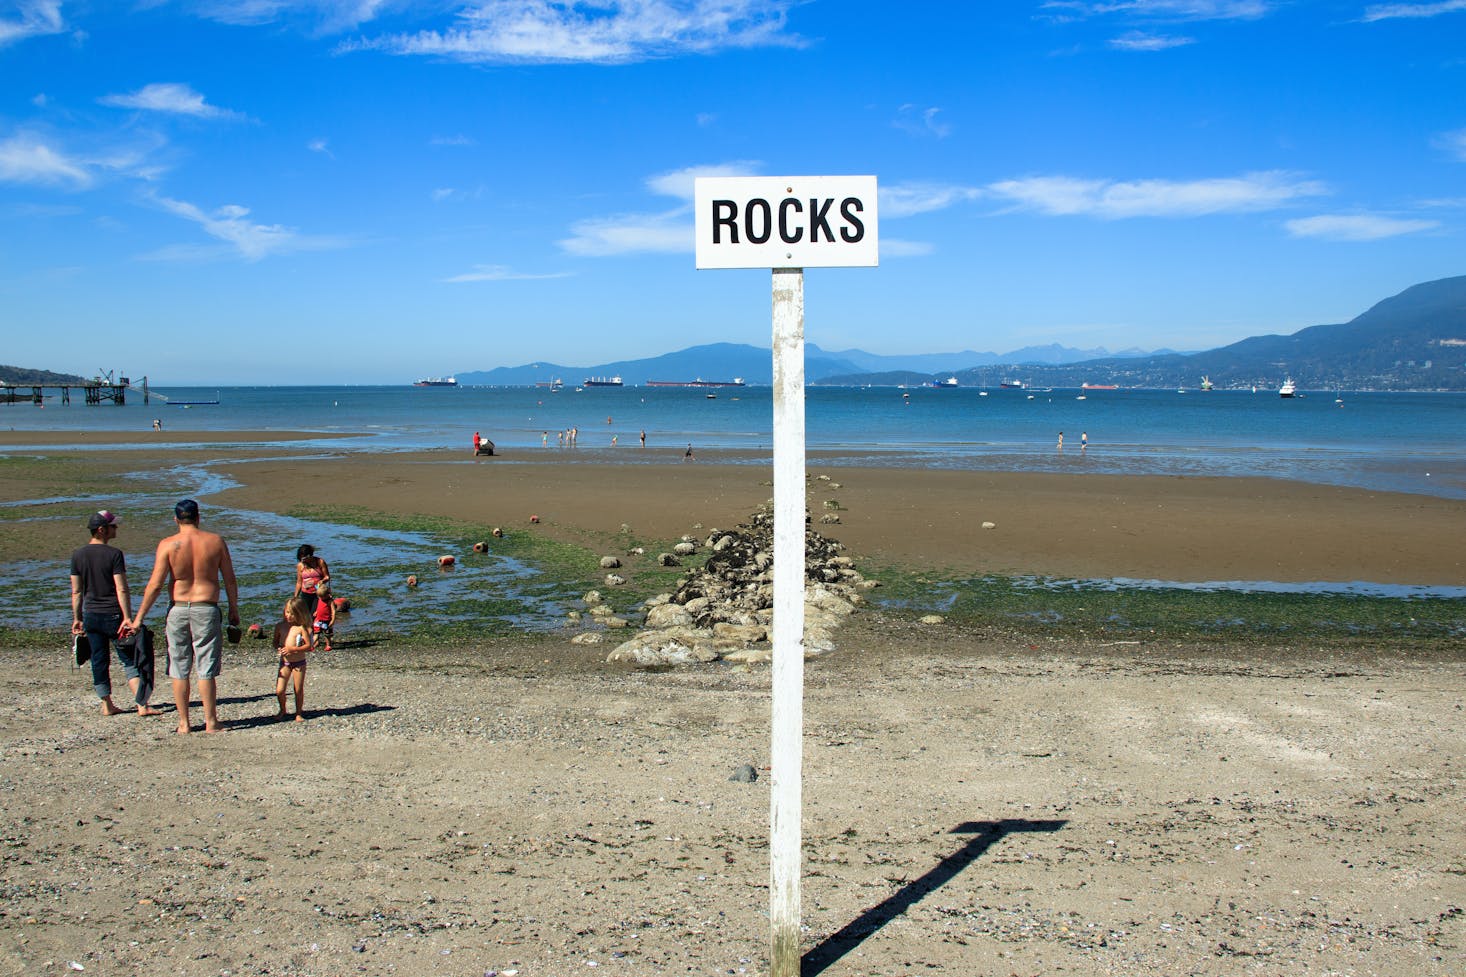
{"points": [[1401, 442]]}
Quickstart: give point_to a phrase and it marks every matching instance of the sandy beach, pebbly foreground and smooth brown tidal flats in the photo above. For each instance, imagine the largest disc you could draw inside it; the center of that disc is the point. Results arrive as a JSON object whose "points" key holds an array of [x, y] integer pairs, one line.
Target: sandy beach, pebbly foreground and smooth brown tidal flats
{"points": [[973, 805]]}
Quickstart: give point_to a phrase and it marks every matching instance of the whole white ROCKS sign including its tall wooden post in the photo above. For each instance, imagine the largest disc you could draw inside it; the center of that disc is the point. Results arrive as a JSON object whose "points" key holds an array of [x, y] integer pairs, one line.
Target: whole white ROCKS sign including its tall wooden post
{"points": [[787, 224]]}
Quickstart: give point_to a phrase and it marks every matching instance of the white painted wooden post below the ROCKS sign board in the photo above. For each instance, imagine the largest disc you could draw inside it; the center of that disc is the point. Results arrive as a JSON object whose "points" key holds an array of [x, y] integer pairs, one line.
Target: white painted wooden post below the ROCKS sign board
{"points": [[787, 750]]}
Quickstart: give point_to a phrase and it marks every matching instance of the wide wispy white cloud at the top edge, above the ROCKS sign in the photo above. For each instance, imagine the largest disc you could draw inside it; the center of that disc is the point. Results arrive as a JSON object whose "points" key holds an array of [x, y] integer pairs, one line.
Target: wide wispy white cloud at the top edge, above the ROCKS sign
{"points": [[605, 33]]}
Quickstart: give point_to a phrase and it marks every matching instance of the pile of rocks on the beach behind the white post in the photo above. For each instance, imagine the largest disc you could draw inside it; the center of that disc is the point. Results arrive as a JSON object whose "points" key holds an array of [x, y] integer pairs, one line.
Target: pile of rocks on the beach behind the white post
{"points": [[725, 610]]}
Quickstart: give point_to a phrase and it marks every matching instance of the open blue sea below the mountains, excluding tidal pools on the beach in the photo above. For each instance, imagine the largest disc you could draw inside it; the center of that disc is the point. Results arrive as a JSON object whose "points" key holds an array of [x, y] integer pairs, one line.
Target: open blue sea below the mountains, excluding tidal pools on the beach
{"points": [[1398, 442]]}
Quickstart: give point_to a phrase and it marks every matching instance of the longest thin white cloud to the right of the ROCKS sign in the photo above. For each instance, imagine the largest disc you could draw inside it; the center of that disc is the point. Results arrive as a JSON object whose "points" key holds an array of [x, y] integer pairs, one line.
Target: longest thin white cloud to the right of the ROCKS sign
{"points": [[1067, 196]]}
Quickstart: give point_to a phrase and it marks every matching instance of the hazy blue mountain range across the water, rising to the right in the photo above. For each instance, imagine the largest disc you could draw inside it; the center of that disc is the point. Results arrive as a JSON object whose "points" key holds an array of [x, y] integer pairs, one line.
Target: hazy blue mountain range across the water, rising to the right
{"points": [[1412, 341]]}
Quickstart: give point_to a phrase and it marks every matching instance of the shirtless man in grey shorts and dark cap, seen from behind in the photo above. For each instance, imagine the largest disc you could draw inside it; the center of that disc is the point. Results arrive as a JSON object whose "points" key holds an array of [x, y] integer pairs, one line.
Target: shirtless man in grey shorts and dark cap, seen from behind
{"points": [[194, 561]]}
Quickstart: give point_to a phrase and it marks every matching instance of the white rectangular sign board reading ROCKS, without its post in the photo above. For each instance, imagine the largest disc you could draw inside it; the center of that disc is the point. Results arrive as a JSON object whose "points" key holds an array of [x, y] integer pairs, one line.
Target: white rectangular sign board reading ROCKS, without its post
{"points": [[787, 222]]}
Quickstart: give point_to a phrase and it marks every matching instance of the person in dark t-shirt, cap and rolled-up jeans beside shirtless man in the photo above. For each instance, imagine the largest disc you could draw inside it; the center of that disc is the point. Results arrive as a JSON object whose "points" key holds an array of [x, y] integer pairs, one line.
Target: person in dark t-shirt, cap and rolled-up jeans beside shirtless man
{"points": [[102, 610]]}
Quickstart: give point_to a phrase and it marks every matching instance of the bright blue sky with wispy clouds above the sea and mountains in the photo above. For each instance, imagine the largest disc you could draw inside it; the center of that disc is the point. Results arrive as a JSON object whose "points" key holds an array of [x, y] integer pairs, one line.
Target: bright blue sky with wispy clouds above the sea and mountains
{"points": [[369, 191]]}
